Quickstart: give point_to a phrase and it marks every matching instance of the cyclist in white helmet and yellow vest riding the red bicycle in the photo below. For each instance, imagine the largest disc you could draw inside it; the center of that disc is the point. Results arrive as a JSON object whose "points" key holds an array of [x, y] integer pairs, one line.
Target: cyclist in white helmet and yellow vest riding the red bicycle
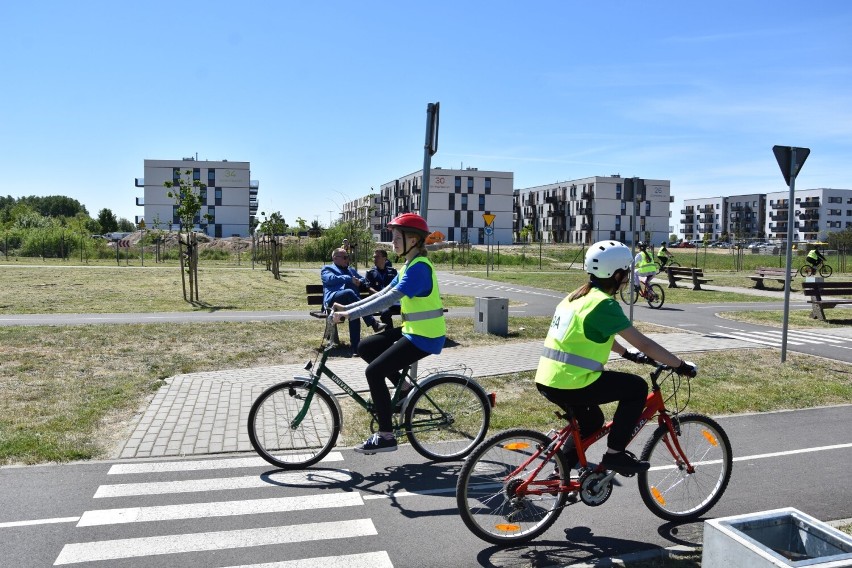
{"points": [[582, 333]]}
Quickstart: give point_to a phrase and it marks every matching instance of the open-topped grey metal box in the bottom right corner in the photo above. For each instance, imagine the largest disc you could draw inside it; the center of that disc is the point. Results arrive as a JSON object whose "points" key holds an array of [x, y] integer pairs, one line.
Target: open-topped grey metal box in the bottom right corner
{"points": [[778, 538]]}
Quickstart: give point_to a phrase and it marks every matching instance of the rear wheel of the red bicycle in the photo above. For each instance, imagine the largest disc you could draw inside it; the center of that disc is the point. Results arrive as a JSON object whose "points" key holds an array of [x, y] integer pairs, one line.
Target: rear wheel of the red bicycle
{"points": [[485, 492]]}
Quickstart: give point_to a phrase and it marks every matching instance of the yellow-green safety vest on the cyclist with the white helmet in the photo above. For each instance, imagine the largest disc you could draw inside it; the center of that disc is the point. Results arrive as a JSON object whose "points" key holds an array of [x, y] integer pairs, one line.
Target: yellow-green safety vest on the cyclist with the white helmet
{"points": [[570, 360]]}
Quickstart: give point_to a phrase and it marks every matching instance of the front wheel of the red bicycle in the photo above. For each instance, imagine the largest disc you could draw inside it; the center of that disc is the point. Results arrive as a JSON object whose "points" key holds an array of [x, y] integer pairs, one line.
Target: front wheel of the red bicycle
{"points": [[668, 489]]}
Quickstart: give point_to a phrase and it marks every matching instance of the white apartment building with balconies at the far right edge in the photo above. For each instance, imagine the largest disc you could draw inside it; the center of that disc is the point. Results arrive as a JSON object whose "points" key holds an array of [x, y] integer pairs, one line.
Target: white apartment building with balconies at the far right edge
{"points": [[815, 213]]}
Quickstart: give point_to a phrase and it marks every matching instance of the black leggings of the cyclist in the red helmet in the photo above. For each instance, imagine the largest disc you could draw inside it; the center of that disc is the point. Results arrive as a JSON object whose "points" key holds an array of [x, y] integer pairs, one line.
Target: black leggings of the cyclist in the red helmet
{"points": [[387, 354]]}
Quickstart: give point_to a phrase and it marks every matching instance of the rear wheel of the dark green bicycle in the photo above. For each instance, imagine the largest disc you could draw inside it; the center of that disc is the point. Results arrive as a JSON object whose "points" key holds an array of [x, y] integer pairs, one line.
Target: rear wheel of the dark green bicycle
{"points": [[448, 418]]}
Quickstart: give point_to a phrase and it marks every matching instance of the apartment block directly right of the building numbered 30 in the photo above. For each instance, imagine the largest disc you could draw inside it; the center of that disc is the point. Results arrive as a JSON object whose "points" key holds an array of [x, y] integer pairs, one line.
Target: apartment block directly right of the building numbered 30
{"points": [[592, 209]]}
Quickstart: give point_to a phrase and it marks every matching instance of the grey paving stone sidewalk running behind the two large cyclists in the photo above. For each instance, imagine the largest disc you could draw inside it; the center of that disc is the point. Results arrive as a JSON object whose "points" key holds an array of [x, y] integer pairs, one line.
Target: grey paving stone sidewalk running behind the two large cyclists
{"points": [[205, 413]]}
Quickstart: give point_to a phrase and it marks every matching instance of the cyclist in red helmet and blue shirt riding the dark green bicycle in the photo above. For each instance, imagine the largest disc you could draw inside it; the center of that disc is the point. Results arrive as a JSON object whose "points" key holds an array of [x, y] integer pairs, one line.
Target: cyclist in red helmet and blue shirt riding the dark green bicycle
{"points": [[423, 328]]}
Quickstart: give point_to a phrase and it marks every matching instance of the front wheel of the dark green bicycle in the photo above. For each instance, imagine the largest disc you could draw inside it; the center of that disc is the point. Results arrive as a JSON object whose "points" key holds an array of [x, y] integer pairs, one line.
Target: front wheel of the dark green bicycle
{"points": [[271, 434]]}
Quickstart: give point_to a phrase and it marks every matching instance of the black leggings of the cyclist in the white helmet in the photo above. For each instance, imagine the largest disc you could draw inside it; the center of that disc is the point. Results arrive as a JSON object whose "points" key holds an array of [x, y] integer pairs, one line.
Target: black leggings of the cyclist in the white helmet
{"points": [[629, 390]]}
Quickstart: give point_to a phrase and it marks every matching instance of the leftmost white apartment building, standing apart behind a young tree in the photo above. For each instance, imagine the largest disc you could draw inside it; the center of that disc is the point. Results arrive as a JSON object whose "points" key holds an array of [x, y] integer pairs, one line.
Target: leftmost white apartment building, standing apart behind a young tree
{"points": [[230, 198]]}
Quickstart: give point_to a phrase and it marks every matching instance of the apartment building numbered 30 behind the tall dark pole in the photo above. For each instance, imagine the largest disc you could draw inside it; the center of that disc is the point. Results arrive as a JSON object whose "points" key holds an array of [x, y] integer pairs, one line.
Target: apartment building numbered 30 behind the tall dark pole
{"points": [[456, 203]]}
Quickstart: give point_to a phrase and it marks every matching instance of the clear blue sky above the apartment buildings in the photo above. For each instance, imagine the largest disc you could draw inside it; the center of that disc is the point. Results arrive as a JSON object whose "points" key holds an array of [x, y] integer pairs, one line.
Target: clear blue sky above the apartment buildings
{"points": [[328, 99]]}
